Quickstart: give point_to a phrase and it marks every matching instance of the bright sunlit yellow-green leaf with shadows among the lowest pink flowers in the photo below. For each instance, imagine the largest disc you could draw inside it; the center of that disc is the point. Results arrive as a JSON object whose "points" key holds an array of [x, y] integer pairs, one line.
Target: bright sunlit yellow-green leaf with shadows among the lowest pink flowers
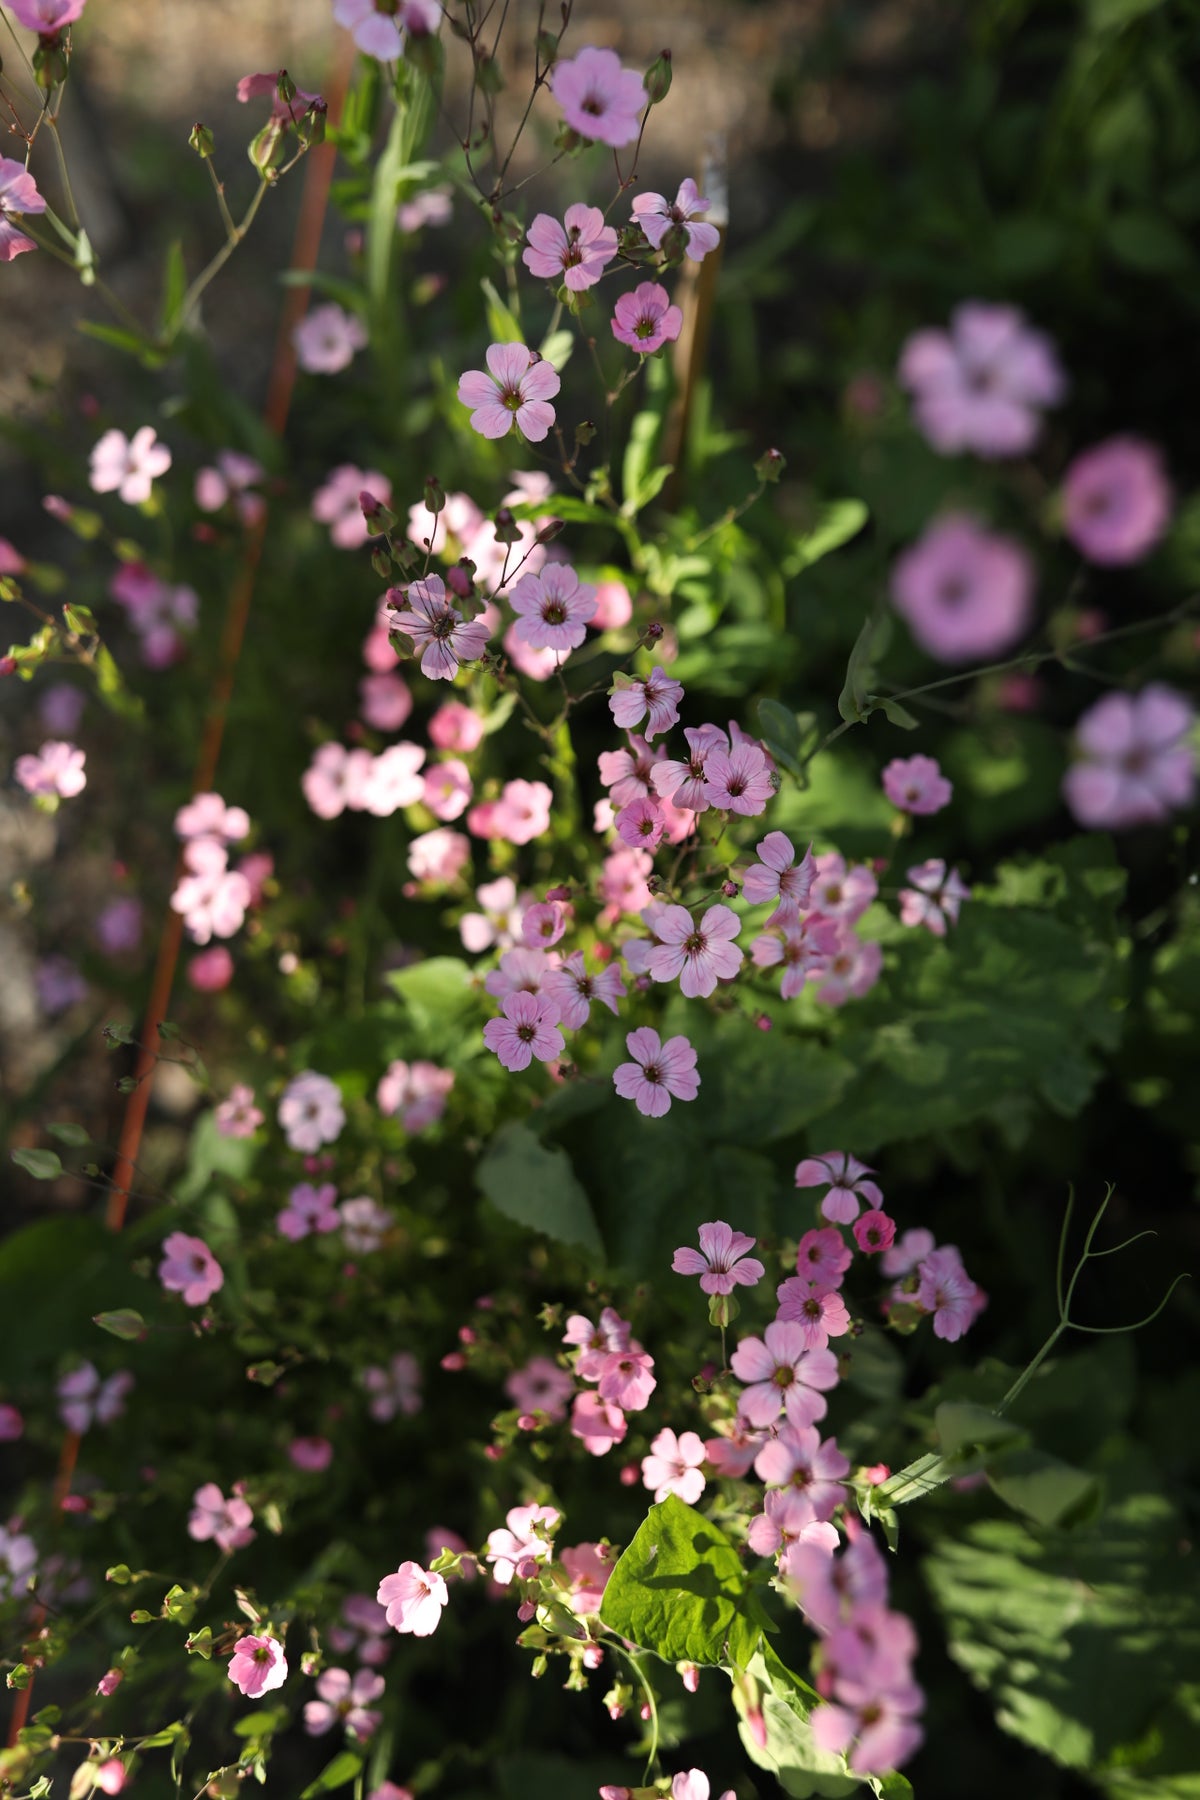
{"points": [[683, 1592]]}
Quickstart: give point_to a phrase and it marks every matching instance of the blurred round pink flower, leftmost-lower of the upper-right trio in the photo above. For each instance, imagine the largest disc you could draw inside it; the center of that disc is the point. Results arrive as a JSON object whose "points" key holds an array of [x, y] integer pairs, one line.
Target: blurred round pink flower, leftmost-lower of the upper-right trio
{"points": [[965, 593]]}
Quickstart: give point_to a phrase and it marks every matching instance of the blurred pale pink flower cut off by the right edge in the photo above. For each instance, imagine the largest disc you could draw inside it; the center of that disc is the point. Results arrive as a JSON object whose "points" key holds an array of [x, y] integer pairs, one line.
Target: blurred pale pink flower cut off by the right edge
{"points": [[1136, 762]]}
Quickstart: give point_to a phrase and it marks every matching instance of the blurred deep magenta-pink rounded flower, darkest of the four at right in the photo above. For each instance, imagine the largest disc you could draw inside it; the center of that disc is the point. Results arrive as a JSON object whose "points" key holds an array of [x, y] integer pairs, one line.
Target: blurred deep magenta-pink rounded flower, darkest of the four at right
{"points": [[1116, 501]]}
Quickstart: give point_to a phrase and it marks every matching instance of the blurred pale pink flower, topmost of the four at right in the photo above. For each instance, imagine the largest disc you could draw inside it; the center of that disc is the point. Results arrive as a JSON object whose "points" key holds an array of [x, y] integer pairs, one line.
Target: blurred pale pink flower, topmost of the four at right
{"points": [[981, 384]]}
